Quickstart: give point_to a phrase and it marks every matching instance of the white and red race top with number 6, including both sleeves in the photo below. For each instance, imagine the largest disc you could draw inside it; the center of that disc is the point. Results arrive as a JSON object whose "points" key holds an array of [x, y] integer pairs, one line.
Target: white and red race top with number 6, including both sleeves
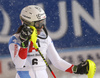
{"points": [[25, 58]]}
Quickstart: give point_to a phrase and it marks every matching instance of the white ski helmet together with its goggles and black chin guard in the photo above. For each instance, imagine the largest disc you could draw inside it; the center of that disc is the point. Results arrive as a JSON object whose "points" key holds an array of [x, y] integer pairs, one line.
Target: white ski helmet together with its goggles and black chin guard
{"points": [[34, 15]]}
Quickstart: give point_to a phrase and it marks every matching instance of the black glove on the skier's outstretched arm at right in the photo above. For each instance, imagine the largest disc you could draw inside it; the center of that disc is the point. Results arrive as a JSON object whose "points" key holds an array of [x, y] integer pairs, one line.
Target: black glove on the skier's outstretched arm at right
{"points": [[82, 68]]}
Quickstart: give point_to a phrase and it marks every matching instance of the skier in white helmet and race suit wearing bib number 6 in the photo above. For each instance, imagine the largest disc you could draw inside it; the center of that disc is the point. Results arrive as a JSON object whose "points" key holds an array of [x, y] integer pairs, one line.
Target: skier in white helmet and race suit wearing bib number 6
{"points": [[27, 60]]}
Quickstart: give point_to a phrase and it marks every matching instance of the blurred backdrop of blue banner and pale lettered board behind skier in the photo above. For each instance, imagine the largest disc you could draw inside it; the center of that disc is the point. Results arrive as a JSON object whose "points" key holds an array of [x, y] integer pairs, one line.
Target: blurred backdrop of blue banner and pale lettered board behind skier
{"points": [[74, 26]]}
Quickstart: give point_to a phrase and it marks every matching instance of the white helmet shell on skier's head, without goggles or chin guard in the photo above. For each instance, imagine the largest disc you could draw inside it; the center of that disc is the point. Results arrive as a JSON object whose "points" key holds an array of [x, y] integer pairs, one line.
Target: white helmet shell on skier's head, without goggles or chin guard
{"points": [[32, 13]]}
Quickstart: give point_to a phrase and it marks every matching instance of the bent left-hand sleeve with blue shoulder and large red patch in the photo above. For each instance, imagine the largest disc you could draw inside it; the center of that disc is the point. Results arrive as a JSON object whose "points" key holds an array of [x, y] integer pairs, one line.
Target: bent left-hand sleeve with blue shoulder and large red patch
{"points": [[18, 54]]}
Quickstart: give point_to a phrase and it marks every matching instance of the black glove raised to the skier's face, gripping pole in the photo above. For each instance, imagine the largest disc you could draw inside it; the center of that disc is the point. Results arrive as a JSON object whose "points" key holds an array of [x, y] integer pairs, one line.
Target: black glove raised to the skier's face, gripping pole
{"points": [[25, 35]]}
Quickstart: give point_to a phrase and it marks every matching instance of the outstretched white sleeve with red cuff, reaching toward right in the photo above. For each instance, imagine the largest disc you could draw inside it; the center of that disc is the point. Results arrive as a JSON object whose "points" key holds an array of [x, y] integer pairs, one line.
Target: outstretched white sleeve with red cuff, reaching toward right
{"points": [[56, 60]]}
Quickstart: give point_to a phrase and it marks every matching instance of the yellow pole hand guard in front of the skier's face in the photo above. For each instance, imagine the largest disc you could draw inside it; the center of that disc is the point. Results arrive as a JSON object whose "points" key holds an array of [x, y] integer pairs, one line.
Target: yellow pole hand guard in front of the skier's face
{"points": [[34, 36]]}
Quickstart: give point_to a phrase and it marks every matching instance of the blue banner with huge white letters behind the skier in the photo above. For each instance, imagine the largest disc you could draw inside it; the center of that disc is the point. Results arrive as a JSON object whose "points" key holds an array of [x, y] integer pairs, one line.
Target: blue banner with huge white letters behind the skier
{"points": [[70, 23]]}
